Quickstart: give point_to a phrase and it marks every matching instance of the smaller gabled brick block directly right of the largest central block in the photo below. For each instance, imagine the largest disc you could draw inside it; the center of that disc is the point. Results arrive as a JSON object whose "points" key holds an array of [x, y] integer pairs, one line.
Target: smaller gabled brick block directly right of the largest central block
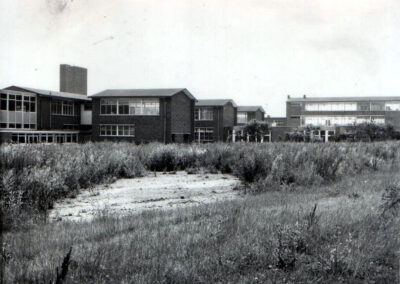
{"points": [[214, 120]]}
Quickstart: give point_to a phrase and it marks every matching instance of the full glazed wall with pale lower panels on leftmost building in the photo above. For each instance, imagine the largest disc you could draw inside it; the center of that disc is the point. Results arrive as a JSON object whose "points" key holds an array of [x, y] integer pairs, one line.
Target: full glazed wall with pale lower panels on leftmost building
{"points": [[17, 110]]}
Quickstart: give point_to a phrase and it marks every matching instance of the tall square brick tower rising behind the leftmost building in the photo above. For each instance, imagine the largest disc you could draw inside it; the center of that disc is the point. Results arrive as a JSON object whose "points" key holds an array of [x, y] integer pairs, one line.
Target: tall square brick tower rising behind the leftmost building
{"points": [[73, 79]]}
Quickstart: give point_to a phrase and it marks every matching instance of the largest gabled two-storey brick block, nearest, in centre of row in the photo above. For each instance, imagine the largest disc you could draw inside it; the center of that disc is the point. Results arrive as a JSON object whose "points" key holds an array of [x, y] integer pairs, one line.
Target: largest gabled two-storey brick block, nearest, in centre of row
{"points": [[143, 115]]}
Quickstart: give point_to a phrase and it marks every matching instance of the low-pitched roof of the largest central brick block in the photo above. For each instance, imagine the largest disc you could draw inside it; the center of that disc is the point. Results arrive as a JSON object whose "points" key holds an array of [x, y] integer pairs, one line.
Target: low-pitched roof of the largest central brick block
{"points": [[143, 93]]}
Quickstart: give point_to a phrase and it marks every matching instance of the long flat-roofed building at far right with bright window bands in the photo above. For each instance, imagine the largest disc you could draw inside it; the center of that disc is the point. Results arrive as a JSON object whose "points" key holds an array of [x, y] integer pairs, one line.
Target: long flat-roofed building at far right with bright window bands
{"points": [[329, 114]]}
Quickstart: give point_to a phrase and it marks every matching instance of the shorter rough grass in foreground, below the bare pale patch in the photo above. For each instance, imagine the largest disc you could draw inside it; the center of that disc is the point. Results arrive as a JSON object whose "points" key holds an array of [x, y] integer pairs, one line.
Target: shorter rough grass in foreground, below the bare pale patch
{"points": [[273, 237]]}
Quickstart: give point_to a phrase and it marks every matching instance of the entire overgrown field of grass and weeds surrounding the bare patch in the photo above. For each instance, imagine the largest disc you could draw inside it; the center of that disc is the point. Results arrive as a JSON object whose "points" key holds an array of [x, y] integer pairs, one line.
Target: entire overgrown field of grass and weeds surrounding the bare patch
{"points": [[314, 214]]}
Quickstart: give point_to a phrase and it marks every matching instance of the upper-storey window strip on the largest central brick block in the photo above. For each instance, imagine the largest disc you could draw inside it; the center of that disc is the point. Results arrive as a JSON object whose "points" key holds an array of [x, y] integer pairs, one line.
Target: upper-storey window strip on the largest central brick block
{"points": [[130, 106]]}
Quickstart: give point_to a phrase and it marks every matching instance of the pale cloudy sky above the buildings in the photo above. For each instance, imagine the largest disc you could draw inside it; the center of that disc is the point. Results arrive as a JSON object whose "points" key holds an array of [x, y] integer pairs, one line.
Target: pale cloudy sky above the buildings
{"points": [[255, 52]]}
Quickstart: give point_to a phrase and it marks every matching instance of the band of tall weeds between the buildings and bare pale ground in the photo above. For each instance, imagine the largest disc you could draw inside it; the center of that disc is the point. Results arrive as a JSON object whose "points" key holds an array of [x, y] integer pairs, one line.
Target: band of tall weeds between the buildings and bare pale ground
{"points": [[33, 177]]}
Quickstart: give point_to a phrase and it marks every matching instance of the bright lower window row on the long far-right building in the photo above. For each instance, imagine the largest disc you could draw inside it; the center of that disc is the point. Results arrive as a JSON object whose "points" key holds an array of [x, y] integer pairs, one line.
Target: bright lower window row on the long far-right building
{"points": [[340, 120]]}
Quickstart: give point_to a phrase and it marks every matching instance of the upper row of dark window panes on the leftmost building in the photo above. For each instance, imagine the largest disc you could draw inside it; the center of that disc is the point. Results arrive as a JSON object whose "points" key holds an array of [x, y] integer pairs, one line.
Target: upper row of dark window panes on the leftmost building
{"points": [[22, 102]]}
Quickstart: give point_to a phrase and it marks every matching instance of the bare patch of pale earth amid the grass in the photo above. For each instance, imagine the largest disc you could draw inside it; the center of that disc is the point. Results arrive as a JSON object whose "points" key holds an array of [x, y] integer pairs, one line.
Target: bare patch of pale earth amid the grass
{"points": [[155, 191]]}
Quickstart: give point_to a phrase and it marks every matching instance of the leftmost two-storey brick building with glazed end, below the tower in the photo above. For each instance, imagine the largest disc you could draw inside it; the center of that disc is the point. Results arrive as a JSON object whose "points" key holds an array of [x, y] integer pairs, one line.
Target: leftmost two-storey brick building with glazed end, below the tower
{"points": [[29, 115]]}
